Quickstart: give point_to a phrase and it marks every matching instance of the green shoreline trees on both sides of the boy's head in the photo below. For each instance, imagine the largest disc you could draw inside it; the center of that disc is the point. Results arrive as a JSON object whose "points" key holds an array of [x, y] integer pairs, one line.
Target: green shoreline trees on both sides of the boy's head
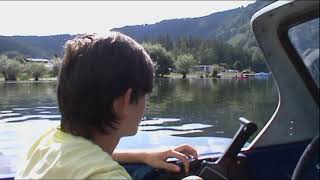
{"points": [[179, 56]]}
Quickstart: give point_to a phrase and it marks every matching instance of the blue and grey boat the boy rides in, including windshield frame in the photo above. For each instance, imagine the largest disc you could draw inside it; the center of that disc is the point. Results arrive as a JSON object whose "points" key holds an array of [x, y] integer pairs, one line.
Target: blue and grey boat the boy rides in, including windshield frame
{"points": [[287, 147]]}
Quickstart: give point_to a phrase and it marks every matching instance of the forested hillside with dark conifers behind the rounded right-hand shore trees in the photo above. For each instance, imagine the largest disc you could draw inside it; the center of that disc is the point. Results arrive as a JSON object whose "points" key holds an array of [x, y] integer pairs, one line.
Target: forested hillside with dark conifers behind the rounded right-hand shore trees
{"points": [[224, 37]]}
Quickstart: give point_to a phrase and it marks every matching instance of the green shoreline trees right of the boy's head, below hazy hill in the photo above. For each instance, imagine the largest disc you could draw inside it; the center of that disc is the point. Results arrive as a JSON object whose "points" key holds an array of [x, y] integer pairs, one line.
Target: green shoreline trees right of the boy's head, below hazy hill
{"points": [[184, 53]]}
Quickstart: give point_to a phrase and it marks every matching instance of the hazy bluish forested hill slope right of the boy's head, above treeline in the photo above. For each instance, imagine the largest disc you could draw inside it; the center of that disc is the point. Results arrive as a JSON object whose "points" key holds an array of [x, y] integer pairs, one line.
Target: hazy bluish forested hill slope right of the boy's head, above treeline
{"points": [[231, 26]]}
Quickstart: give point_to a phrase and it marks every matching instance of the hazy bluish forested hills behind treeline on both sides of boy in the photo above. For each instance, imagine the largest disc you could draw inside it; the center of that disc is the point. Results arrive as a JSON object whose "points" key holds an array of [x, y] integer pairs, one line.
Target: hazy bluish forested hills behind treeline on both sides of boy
{"points": [[231, 26]]}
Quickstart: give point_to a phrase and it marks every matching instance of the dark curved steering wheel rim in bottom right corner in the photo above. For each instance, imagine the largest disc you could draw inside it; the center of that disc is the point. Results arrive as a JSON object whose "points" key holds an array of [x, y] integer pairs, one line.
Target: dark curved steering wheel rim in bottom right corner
{"points": [[309, 154]]}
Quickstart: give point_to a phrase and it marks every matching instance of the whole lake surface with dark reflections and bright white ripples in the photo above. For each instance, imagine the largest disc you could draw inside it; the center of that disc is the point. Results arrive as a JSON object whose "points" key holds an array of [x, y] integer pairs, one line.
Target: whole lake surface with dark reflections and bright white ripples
{"points": [[201, 112]]}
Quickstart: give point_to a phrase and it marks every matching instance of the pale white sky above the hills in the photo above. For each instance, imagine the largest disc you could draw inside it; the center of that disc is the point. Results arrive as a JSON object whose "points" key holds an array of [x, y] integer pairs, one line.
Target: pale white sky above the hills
{"points": [[72, 17]]}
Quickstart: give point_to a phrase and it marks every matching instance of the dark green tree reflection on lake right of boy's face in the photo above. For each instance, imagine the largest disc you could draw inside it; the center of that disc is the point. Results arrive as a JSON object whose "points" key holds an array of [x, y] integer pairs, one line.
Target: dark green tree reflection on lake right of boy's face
{"points": [[216, 102]]}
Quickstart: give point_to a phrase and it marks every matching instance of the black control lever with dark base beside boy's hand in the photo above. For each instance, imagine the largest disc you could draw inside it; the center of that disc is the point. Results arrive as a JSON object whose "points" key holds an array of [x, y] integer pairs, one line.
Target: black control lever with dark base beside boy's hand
{"points": [[231, 165]]}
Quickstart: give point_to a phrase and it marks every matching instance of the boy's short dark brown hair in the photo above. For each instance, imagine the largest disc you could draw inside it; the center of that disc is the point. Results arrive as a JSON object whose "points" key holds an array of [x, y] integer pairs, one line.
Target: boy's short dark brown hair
{"points": [[95, 71]]}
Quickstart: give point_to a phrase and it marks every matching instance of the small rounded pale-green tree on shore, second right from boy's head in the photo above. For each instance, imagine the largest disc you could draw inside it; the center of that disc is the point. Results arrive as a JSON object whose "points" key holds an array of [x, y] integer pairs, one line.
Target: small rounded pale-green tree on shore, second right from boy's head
{"points": [[183, 64]]}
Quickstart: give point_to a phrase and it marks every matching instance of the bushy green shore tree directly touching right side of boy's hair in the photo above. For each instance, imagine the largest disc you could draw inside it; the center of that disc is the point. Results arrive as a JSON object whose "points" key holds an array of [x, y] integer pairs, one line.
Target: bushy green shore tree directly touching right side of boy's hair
{"points": [[161, 57]]}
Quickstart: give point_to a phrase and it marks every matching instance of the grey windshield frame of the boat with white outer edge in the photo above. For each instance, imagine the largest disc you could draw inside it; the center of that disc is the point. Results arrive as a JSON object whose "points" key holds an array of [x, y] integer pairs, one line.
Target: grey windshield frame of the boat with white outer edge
{"points": [[297, 116]]}
